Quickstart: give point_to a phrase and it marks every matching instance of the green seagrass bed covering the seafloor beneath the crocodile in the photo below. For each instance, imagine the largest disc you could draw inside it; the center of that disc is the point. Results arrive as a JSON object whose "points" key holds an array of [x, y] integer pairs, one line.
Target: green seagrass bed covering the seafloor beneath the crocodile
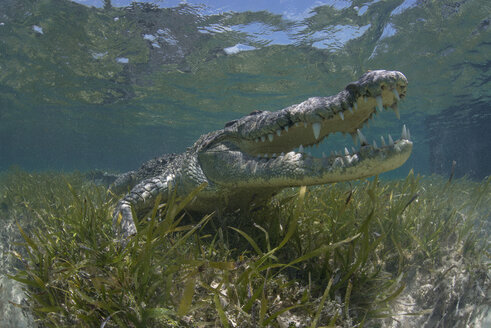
{"points": [[340, 255]]}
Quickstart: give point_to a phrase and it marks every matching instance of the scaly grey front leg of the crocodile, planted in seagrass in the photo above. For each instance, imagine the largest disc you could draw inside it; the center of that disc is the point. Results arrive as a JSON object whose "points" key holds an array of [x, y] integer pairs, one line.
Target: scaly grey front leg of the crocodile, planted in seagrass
{"points": [[140, 200]]}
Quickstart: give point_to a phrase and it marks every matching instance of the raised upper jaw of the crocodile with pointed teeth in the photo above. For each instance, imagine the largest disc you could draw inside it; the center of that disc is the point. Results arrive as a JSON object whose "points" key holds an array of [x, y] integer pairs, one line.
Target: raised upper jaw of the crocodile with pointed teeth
{"points": [[311, 121]]}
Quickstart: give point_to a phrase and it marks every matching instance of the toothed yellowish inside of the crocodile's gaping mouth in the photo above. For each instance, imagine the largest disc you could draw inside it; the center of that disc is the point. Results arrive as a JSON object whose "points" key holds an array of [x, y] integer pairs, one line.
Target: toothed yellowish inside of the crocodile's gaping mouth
{"points": [[301, 130]]}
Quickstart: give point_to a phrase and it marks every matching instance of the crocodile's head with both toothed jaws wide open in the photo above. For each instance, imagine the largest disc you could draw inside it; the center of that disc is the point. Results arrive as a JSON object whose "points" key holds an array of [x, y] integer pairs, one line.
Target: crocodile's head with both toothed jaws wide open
{"points": [[258, 150]]}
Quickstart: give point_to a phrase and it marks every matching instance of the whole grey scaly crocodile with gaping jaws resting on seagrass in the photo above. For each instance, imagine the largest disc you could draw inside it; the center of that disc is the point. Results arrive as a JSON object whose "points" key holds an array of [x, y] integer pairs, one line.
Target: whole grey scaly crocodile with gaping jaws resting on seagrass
{"points": [[254, 157]]}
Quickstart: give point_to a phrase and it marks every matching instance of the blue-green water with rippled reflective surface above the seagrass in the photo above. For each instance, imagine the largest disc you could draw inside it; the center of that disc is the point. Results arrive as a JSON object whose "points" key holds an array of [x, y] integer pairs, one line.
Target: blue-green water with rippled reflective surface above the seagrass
{"points": [[91, 87]]}
